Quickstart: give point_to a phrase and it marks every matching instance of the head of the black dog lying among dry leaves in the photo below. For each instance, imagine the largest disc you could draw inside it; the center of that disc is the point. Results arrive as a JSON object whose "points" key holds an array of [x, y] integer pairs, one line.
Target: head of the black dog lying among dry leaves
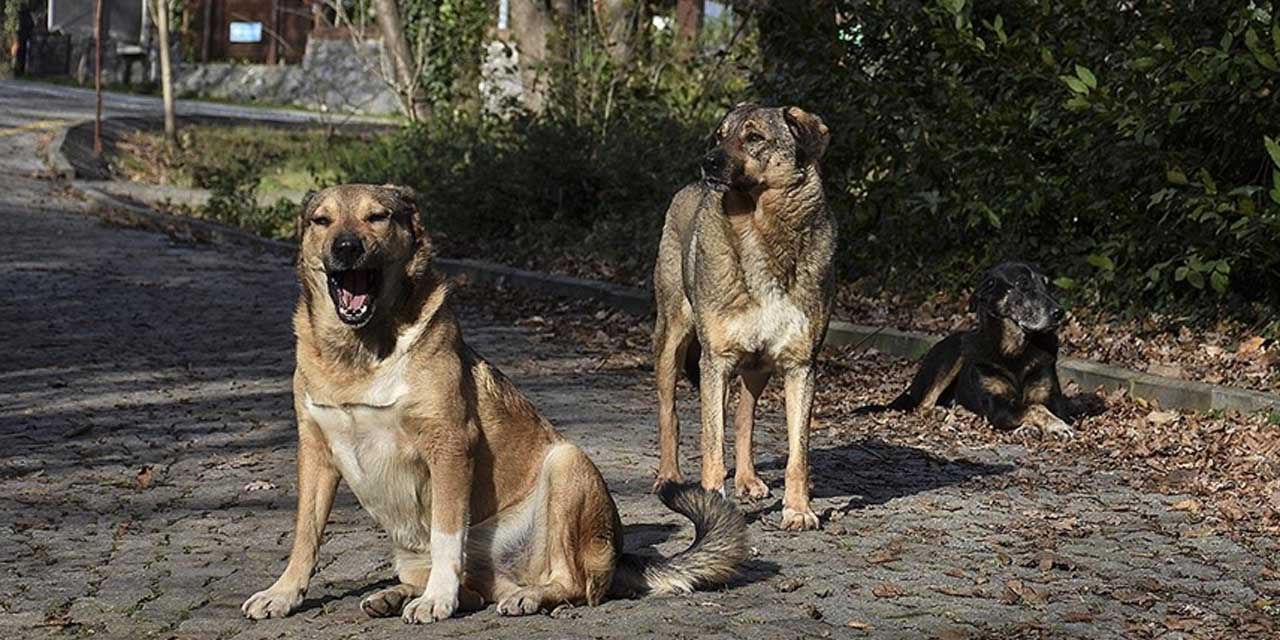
{"points": [[1020, 294]]}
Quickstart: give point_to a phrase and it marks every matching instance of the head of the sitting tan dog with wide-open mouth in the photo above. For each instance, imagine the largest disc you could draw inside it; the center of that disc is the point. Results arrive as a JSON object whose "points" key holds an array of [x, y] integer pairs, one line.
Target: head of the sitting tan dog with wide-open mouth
{"points": [[362, 244]]}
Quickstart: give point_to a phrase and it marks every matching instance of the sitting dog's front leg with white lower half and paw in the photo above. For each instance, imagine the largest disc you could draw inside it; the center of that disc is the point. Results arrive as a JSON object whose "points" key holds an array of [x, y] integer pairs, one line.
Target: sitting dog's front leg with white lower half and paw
{"points": [[450, 465]]}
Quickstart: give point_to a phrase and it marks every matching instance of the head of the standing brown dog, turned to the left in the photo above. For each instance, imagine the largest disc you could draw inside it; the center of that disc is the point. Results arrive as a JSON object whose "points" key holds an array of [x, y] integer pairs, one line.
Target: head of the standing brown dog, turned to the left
{"points": [[765, 148]]}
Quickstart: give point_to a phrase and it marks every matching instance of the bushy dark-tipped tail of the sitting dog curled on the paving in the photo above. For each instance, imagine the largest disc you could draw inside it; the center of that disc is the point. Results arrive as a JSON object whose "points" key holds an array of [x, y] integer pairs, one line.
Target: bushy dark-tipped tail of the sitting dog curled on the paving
{"points": [[720, 548]]}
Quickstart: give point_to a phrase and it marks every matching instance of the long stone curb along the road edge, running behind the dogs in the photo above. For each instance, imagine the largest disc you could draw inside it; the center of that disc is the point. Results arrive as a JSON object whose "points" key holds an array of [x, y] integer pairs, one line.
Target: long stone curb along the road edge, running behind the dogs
{"points": [[1165, 392]]}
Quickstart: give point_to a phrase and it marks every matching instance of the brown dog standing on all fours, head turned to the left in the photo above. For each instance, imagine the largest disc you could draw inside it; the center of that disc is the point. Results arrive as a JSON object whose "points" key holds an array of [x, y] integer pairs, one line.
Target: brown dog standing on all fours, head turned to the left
{"points": [[744, 284]]}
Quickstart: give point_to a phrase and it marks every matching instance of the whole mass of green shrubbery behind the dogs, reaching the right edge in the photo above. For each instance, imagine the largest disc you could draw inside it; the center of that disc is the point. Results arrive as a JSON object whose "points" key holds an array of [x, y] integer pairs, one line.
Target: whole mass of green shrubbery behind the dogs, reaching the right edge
{"points": [[1130, 148]]}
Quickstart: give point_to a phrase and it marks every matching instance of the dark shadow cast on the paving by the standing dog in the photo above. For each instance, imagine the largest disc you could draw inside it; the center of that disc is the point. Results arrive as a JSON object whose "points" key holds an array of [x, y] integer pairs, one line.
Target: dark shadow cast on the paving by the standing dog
{"points": [[871, 473]]}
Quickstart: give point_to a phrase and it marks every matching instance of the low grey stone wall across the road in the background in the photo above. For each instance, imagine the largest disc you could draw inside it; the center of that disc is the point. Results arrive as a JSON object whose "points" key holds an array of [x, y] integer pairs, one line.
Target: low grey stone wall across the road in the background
{"points": [[336, 75]]}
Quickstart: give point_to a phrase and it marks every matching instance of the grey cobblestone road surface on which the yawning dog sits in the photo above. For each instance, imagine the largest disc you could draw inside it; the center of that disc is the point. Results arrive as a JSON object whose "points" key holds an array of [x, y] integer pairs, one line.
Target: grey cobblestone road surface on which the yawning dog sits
{"points": [[147, 484]]}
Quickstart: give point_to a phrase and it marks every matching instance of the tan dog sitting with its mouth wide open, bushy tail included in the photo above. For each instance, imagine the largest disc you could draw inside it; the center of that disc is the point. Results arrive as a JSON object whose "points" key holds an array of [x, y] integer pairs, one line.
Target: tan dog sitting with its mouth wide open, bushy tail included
{"points": [[483, 501]]}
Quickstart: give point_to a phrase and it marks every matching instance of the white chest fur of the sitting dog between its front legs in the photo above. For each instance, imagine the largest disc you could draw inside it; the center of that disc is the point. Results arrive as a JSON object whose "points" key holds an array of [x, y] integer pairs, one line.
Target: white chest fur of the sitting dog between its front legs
{"points": [[388, 481]]}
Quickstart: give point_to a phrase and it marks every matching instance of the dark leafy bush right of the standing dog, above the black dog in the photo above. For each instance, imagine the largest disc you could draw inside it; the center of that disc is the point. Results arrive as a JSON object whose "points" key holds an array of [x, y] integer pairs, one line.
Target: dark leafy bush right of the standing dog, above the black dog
{"points": [[1122, 145]]}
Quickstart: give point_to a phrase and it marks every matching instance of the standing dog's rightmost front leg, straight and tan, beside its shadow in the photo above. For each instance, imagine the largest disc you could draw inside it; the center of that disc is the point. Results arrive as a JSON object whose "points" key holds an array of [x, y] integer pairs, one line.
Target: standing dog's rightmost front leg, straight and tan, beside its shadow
{"points": [[797, 514]]}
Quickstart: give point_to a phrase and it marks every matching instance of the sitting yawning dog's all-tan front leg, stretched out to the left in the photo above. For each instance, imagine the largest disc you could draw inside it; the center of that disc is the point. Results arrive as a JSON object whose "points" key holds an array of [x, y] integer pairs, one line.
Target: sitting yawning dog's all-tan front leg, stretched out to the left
{"points": [[318, 482]]}
